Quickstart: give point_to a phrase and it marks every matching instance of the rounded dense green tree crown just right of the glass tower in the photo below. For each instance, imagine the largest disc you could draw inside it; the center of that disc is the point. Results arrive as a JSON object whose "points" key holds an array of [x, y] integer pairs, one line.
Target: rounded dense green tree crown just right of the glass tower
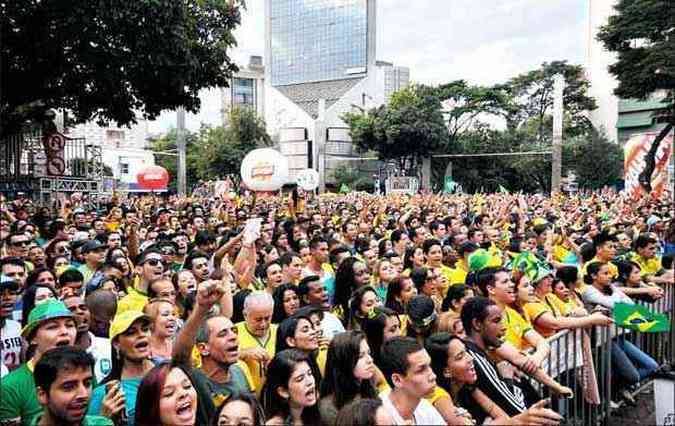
{"points": [[411, 126]]}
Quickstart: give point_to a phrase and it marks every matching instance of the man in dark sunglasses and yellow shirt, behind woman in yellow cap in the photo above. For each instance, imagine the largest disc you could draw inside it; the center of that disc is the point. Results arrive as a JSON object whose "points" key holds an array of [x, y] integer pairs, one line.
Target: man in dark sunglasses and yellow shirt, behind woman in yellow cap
{"points": [[150, 267]]}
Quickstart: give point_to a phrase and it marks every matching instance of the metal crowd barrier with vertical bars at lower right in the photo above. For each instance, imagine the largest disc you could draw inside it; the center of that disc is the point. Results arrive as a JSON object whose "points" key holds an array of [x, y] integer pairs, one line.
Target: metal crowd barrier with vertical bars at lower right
{"points": [[581, 360]]}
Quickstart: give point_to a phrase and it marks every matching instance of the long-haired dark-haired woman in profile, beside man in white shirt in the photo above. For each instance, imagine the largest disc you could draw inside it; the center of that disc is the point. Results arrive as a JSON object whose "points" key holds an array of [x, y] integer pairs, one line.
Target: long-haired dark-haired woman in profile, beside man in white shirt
{"points": [[350, 376]]}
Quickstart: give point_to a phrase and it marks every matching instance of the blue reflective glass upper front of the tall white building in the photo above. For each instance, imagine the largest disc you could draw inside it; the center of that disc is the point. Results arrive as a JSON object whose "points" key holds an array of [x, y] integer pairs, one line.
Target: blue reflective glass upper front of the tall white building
{"points": [[317, 40]]}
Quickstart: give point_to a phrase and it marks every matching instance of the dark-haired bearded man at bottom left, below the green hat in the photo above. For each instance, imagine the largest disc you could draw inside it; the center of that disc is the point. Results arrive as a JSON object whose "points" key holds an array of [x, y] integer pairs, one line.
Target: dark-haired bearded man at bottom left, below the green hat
{"points": [[63, 378]]}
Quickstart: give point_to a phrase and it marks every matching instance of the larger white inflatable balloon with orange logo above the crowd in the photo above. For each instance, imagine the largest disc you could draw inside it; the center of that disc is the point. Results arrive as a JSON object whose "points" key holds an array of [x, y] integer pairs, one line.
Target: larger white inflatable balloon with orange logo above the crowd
{"points": [[264, 169]]}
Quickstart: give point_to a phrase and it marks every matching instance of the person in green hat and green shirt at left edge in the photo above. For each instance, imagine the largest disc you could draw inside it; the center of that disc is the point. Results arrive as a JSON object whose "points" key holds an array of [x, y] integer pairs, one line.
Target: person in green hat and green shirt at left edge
{"points": [[50, 324]]}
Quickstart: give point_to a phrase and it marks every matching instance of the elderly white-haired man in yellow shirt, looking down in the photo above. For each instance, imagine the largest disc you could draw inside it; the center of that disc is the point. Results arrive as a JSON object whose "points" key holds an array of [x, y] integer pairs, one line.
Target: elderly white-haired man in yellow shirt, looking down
{"points": [[257, 335]]}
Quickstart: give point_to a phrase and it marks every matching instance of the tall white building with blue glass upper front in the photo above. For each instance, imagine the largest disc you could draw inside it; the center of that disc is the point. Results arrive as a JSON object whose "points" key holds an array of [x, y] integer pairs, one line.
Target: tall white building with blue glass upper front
{"points": [[321, 63]]}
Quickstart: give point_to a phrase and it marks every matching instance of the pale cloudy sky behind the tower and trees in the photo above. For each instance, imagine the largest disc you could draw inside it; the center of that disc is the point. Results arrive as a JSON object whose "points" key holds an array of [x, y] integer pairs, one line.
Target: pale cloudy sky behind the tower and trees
{"points": [[481, 41]]}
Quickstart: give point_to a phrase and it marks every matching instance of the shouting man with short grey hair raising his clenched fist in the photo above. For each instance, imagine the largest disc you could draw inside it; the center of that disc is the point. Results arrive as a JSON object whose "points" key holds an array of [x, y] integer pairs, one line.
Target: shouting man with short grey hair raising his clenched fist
{"points": [[221, 371]]}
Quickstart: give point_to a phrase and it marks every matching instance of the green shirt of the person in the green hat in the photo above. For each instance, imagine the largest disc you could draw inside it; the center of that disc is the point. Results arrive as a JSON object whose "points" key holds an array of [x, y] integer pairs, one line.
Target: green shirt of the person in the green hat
{"points": [[18, 396]]}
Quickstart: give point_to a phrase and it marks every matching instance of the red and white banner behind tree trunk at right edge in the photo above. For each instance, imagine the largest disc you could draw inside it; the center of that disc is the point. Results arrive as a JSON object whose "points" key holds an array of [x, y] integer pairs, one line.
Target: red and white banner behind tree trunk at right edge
{"points": [[634, 162]]}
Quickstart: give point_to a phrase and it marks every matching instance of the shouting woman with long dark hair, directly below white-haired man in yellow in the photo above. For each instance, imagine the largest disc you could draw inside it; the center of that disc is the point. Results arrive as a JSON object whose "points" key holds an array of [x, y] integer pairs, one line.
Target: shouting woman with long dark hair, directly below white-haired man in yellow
{"points": [[289, 395]]}
